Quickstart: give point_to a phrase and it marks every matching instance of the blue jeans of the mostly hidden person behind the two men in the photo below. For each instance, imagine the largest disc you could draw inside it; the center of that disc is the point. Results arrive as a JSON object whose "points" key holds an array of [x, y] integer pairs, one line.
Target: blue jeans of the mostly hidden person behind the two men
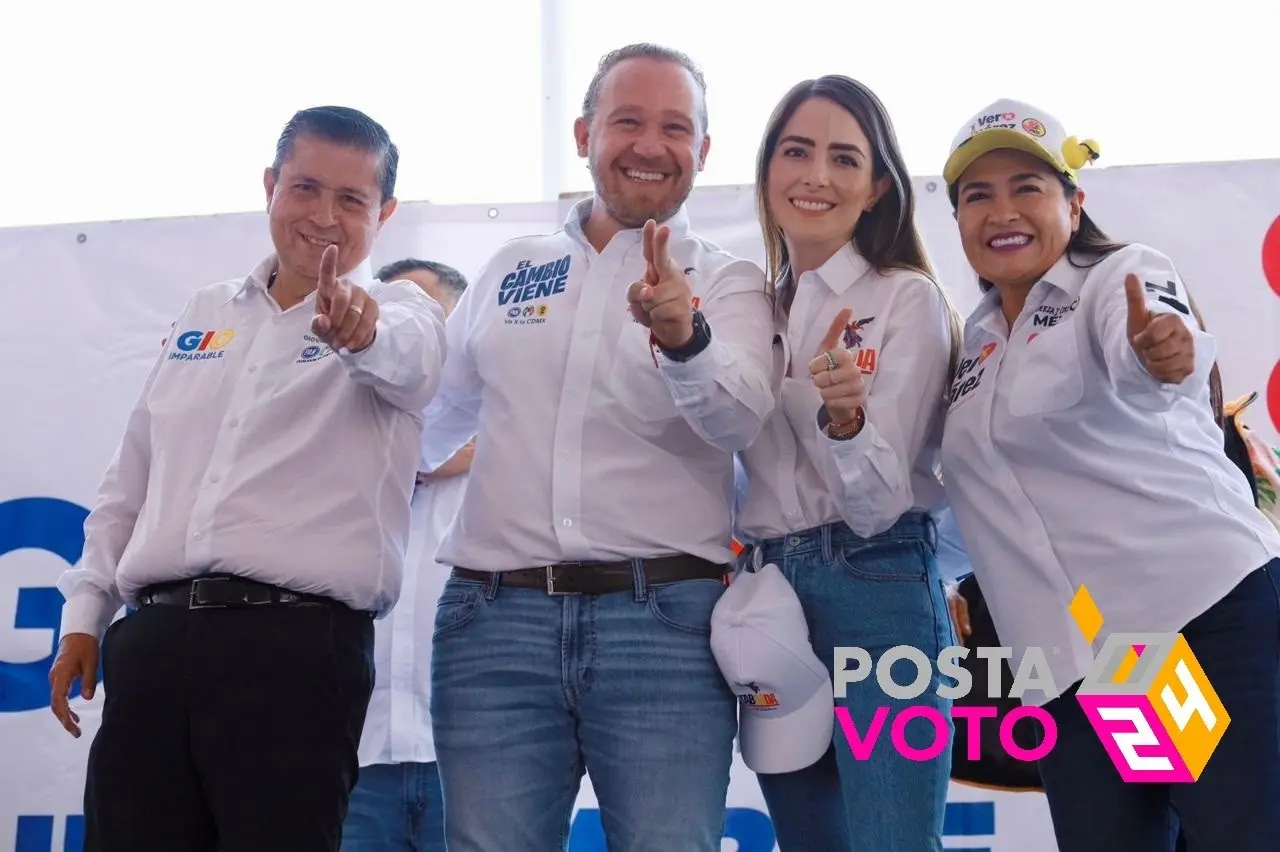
{"points": [[396, 808]]}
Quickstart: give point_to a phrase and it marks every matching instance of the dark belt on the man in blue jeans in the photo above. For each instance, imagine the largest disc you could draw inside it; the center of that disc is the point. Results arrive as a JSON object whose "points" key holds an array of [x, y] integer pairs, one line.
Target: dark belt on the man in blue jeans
{"points": [[601, 578]]}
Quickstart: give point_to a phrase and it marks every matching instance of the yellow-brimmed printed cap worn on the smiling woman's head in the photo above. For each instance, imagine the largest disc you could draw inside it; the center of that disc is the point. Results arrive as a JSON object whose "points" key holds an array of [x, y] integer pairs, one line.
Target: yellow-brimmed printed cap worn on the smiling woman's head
{"points": [[1022, 127]]}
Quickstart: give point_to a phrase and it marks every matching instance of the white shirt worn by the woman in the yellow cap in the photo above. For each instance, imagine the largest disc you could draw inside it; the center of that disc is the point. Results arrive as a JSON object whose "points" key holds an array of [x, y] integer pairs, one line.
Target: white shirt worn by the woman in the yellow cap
{"points": [[1068, 465]]}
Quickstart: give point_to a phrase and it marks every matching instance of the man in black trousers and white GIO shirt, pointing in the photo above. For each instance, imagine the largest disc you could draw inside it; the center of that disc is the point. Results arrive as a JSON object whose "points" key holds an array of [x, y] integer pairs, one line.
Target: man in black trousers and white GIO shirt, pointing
{"points": [[255, 521]]}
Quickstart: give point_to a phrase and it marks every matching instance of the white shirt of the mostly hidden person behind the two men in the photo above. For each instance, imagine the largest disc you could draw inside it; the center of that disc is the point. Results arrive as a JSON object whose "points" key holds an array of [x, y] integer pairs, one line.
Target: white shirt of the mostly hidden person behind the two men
{"points": [[399, 723]]}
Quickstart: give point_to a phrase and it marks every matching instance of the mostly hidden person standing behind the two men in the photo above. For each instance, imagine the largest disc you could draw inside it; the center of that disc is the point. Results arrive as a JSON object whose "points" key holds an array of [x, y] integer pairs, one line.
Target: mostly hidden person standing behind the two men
{"points": [[397, 805]]}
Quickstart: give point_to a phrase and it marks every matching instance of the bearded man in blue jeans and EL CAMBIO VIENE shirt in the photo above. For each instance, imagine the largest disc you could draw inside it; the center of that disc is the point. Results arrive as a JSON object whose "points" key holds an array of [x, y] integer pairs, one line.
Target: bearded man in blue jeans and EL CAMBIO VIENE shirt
{"points": [[595, 537]]}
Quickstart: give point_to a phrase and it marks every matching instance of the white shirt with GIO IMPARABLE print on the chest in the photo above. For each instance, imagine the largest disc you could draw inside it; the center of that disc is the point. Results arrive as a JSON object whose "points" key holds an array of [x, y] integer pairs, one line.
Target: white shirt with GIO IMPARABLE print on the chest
{"points": [[258, 451]]}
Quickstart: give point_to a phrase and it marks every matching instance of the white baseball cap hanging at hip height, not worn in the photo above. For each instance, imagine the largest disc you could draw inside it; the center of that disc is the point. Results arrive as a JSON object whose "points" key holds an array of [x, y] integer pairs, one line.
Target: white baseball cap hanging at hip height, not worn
{"points": [[761, 642]]}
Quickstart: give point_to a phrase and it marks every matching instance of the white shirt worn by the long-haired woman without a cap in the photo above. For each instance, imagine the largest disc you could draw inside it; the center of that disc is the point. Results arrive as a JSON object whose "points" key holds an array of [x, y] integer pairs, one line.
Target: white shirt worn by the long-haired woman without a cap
{"points": [[900, 329]]}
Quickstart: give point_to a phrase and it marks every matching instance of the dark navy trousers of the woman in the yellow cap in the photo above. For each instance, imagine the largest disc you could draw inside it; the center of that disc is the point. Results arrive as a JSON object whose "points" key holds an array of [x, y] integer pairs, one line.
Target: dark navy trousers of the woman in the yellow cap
{"points": [[1236, 803]]}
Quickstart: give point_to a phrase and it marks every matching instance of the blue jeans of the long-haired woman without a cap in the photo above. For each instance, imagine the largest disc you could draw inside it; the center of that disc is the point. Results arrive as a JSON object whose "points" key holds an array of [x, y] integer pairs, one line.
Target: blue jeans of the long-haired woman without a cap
{"points": [[875, 594]]}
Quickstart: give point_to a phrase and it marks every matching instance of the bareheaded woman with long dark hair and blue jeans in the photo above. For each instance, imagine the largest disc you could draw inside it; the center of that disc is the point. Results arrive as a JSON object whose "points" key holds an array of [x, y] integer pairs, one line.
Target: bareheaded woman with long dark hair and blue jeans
{"points": [[842, 480]]}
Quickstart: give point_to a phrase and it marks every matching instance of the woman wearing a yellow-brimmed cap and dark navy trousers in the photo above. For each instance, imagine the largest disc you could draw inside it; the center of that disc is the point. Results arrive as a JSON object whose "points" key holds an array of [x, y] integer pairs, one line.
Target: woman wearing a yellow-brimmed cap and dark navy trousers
{"points": [[1087, 477]]}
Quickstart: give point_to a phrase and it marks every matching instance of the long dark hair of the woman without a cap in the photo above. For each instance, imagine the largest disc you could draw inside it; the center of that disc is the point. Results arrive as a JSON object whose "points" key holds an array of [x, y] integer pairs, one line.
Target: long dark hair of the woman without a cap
{"points": [[886, 236]]}
